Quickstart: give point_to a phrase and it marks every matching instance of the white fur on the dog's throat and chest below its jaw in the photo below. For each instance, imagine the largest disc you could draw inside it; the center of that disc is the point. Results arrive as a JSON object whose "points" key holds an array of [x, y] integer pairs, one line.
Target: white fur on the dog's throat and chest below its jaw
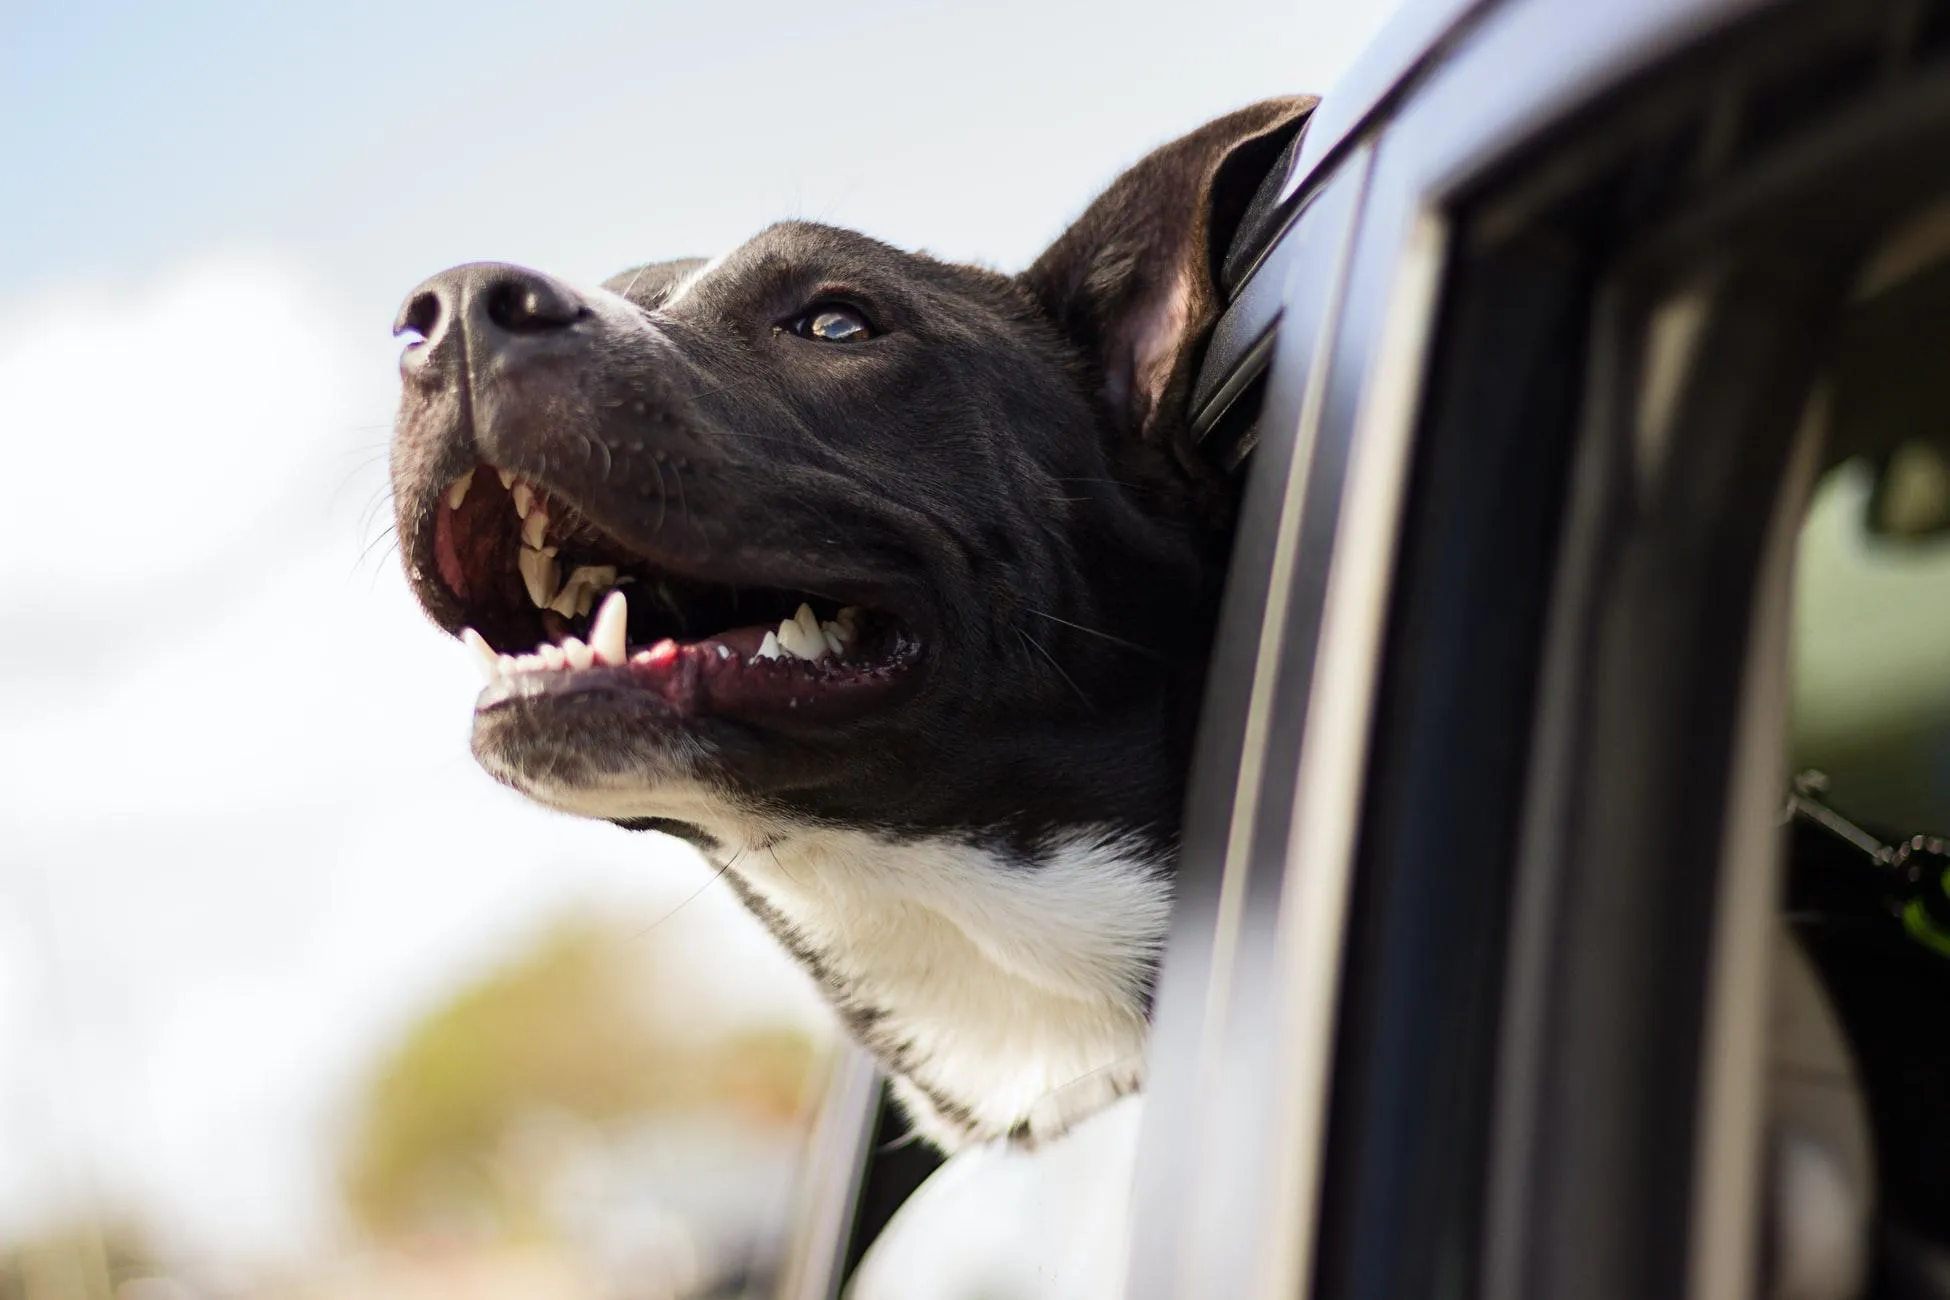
{"points": [[1009, 989]]}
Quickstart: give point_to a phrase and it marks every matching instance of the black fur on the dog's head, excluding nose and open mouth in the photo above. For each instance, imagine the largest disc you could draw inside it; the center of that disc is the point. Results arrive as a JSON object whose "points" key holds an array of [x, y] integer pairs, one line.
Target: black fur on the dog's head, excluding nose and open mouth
{"points": [[982, 467]]}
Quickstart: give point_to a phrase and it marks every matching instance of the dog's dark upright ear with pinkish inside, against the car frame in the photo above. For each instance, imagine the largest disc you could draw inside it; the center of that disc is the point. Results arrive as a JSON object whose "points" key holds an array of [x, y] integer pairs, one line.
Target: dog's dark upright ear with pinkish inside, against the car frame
{"points": [[1134, 284]]}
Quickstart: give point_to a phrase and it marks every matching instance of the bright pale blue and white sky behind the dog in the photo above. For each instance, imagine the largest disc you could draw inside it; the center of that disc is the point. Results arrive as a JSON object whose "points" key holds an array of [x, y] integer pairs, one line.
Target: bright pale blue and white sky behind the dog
{"points": [[241, 841]]}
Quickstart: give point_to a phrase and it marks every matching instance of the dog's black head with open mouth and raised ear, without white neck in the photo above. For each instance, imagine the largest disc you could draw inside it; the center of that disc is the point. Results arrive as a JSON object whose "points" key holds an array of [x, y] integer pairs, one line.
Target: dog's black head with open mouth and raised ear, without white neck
{"points": [[832, 531]]}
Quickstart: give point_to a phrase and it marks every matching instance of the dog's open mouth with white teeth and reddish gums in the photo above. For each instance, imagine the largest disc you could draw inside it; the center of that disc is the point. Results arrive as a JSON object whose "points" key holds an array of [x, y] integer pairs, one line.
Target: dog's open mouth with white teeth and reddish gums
{"points": [[559, 607]]}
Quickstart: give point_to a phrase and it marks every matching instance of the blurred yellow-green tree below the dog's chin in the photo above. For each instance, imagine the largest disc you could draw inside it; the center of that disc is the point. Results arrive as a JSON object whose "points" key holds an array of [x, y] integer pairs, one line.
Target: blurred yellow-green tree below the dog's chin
{"points": [[586, 1028]]}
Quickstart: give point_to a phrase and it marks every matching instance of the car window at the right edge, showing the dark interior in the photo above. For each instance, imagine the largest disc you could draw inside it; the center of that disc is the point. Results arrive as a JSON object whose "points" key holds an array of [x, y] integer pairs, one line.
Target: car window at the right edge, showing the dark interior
{"points": [[1871, 749]]}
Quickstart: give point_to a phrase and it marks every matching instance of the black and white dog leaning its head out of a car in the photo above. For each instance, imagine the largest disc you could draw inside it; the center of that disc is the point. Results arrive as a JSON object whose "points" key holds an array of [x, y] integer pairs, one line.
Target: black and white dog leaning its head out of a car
{"points": [[884, 582]]}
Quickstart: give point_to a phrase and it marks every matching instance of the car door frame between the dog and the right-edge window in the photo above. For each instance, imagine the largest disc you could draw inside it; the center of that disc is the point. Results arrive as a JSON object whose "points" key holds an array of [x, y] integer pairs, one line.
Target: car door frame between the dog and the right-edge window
{"points": [[1495, 1016]]}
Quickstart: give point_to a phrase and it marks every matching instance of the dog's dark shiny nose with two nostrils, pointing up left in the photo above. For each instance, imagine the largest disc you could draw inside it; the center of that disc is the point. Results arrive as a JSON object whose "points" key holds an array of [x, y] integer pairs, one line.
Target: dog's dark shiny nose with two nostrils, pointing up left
{"points": [[487, 303]]}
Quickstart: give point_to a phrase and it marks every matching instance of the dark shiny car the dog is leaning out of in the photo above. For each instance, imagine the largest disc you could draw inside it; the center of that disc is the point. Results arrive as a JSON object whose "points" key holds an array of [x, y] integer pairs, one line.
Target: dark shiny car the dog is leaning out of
{"points": [[1588, 371]]}
